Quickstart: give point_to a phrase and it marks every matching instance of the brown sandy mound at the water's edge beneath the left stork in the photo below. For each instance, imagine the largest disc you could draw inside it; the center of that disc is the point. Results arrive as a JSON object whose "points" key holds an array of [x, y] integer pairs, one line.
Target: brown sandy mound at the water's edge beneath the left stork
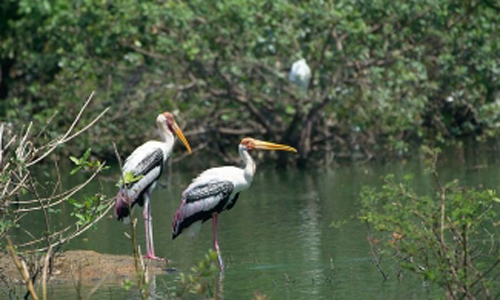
{"points": [[90, 265]]}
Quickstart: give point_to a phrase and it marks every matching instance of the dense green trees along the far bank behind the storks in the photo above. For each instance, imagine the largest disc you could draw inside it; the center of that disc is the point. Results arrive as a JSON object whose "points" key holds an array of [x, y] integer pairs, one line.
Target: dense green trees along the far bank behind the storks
{"points": [[385, 73]]}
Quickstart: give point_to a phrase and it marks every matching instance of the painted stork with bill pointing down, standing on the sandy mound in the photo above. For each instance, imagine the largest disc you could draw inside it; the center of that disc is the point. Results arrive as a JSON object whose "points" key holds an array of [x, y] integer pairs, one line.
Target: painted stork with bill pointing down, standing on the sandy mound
{"points": [[145, 165]]}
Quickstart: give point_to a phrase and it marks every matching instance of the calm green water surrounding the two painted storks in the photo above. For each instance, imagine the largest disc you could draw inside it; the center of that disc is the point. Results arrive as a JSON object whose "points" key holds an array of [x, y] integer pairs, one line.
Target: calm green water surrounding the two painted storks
{"points": [[277, 240]]}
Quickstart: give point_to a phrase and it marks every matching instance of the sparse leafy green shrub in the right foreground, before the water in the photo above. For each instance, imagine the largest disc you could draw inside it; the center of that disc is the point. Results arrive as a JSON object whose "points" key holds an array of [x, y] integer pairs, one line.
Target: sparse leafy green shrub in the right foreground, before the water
{"points": [[448, 236]]}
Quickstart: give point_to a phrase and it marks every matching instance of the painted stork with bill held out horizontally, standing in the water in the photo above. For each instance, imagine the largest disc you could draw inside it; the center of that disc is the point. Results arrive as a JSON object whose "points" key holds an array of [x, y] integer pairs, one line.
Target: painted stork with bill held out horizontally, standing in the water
{"points": [[217, 189]]}
